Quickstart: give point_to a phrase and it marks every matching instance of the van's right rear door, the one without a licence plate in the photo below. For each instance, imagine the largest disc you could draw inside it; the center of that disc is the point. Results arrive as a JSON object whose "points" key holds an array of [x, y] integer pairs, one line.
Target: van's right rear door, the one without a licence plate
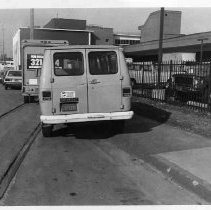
{"points": [[104, 81]]}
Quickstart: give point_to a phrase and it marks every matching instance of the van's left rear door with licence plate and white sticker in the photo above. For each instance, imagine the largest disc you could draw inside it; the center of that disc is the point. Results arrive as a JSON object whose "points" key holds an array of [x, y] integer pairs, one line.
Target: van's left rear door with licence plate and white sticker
{"points": [[69, 82]]}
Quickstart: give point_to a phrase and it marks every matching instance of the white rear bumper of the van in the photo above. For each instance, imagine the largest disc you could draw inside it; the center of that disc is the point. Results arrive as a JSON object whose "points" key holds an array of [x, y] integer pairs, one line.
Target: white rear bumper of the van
{"points": [[59, 119]]}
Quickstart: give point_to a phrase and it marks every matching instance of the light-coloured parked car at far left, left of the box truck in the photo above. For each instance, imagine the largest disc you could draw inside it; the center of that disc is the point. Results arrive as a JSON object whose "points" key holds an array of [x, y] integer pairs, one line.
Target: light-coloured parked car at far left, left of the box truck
{"points": [[13, 79]]}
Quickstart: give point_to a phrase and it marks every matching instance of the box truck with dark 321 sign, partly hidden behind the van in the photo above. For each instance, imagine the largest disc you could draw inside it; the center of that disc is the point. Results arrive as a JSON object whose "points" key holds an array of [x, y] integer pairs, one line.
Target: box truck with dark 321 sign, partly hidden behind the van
{"points": [[31, 59]]}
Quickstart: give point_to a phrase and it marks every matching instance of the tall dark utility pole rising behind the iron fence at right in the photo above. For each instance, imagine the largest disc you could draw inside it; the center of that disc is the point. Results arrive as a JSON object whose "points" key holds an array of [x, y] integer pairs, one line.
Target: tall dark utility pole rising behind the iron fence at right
{"points": [[160, 51]]}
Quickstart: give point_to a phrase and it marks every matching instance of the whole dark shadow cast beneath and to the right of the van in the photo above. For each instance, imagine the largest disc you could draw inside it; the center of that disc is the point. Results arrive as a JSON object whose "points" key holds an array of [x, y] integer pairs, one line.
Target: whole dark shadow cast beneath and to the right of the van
{"points": [[105, 130]]}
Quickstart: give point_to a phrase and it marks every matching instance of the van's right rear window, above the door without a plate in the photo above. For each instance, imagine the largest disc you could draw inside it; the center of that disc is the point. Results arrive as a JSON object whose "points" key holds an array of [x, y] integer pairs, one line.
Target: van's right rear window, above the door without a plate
{"points": [[103, 62]]}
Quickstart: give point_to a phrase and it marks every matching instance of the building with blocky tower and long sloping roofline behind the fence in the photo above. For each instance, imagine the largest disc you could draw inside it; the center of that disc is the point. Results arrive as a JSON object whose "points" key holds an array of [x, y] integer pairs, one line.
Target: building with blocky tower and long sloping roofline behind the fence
{"points": [[173, 40]]}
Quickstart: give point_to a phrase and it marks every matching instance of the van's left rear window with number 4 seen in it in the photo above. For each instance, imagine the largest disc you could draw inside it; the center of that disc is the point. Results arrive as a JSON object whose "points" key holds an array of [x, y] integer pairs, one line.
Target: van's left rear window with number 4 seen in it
{"points": [[68, 64]]}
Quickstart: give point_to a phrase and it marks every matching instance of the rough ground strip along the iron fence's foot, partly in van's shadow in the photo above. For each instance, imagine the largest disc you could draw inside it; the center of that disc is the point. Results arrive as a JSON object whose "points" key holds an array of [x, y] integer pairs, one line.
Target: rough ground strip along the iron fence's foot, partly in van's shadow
{"points": [[186, 119]]}
